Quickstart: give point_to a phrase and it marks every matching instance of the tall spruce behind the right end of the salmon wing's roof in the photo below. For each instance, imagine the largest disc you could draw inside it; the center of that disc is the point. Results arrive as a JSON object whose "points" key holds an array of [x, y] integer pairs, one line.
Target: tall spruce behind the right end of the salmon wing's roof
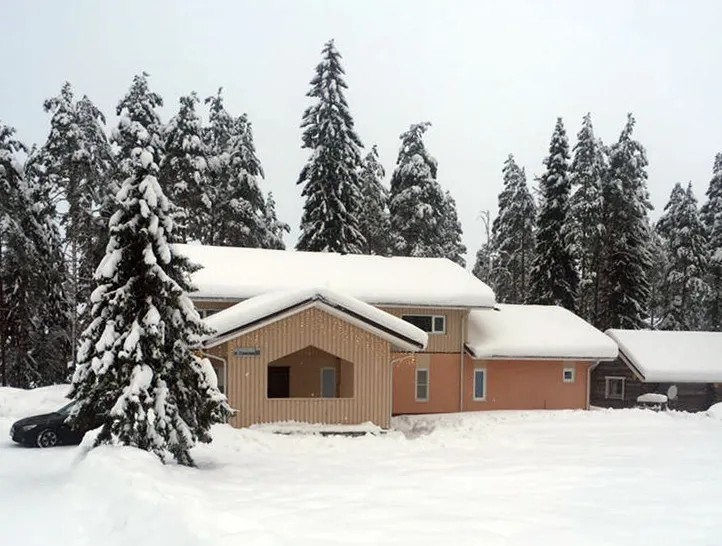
{"points": [[624, 284]]}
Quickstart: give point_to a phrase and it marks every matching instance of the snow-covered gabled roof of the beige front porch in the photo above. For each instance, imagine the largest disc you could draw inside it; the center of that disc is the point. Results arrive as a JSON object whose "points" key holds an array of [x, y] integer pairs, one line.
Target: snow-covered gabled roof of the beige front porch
{"points": [[260, 310]]}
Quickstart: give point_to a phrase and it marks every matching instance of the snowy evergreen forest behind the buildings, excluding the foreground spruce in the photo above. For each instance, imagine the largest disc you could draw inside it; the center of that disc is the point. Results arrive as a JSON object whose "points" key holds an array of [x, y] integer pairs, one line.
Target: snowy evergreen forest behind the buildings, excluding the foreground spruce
{"points": [[584, 240]]}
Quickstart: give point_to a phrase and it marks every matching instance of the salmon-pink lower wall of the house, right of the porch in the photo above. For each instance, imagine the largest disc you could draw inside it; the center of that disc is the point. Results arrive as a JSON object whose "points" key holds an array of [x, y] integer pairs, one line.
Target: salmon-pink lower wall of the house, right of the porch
{"points": [[511, 384]]}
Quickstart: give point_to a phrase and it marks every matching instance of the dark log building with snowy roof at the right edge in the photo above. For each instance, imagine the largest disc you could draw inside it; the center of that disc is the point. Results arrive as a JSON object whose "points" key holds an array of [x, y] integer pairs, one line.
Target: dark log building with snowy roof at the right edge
{"points": [[684, 366]]}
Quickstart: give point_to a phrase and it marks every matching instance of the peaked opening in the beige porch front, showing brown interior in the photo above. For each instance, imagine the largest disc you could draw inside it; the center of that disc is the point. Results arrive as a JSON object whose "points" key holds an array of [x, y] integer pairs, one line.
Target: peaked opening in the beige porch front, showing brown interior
{"points": [[310, 373]]}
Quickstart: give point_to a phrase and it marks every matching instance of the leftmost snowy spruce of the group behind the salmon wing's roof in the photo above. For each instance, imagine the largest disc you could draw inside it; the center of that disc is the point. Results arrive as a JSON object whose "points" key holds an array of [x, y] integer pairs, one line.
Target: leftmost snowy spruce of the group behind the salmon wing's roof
{"points": [[513, 236]]}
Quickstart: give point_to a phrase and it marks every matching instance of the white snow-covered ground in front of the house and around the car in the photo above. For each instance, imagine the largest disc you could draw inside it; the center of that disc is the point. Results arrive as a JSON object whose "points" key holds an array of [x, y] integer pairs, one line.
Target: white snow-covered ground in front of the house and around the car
{"points": [[601, 477]]}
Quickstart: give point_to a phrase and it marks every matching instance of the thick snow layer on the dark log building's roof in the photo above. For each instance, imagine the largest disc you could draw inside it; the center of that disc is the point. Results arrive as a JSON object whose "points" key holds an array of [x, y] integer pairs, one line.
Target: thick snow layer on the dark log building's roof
{"points": [[666, 357]]}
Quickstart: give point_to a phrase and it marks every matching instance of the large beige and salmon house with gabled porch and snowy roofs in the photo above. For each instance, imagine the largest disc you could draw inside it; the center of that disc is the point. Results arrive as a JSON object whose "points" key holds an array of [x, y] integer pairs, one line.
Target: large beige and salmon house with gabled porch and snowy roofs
{"points": [[330, 338]]}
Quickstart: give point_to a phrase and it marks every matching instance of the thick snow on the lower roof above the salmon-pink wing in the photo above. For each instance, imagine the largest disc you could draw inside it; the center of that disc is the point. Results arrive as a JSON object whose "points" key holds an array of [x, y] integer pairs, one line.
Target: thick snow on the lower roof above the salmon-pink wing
{"points": [[535, 332]]}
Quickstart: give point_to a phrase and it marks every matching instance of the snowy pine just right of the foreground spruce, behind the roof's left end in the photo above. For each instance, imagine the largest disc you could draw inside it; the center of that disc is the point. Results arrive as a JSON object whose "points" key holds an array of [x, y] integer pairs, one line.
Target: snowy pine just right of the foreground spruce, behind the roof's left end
{"points": [[184, 169]]}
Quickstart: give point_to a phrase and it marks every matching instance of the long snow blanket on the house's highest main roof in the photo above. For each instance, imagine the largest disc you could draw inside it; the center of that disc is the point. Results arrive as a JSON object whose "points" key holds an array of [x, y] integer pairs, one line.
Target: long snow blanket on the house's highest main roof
{"points": [[240, 273]]}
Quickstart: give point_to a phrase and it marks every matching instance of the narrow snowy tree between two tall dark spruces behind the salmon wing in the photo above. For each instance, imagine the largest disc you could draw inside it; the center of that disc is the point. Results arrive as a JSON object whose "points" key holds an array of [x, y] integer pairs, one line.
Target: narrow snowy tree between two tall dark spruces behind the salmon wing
{"points": [[585, 218]]}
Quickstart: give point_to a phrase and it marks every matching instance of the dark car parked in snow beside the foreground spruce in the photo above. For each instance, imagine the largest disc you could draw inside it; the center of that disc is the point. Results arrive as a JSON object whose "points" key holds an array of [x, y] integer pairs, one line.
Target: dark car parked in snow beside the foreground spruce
{"points": [[47, 430]]}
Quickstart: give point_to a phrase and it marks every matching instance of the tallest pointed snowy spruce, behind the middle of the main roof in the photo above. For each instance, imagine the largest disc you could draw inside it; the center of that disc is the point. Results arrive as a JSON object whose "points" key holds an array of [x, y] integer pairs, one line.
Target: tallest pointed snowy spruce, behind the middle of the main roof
{"points": [[330, 179]]}
